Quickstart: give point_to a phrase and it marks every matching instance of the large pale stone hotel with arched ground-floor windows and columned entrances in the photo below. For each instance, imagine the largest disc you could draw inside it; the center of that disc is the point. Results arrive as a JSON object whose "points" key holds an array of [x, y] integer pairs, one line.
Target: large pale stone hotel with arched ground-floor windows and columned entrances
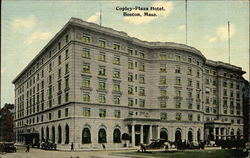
{"points": [[92, 85]]}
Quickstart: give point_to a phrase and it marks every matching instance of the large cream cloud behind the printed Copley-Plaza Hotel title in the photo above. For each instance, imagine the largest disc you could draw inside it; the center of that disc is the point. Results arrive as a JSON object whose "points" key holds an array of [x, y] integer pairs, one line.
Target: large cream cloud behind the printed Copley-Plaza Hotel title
{"points": [[168, 7]]}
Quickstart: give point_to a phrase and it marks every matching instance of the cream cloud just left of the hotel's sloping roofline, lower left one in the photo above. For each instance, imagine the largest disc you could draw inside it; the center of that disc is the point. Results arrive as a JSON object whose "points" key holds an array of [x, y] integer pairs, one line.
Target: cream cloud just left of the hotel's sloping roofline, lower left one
{"points": [[38, 35]]}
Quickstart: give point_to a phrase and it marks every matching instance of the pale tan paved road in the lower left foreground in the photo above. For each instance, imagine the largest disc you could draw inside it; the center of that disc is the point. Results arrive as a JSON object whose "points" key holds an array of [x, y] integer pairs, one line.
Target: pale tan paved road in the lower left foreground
{"points": [[38, 153]]}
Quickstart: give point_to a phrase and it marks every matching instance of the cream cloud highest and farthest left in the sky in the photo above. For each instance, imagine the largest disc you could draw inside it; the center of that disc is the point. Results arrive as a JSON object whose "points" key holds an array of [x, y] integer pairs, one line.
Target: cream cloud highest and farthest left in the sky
{"points": [[24, 22]]}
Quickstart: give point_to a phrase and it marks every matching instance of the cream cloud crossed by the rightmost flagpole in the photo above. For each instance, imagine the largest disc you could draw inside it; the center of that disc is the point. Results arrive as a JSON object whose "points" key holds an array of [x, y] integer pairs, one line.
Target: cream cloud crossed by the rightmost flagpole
{"points": [[221, 34]]}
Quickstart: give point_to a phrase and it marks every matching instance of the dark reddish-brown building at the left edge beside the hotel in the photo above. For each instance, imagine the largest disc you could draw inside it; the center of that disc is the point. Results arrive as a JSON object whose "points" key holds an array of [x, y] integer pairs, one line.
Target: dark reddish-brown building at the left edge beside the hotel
{"points": [[7, 123]]}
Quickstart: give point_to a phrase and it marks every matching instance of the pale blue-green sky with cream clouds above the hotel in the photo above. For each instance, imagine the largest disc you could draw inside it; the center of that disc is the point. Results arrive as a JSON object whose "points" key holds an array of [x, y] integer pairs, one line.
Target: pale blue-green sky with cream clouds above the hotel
{"points": [[27, 26]]}
